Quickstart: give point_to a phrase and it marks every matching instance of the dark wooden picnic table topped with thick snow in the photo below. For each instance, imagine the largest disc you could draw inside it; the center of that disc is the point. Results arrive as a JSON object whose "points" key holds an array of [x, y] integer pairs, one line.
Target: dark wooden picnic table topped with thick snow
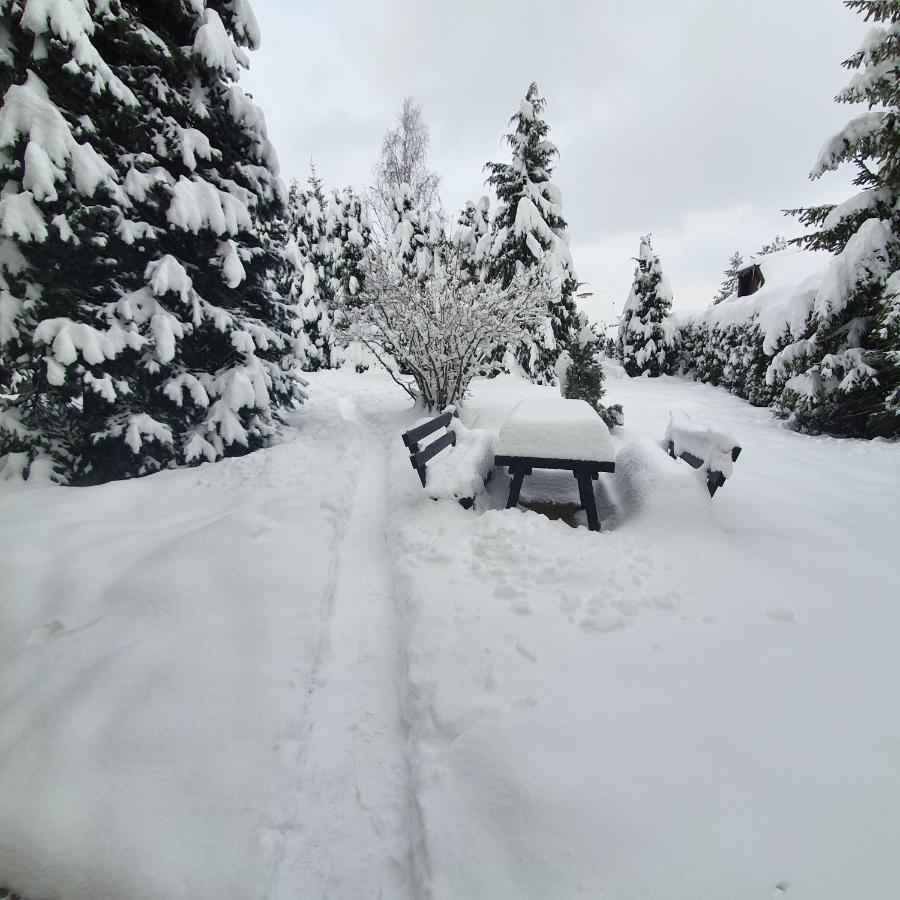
{"points": [[551, 433]]}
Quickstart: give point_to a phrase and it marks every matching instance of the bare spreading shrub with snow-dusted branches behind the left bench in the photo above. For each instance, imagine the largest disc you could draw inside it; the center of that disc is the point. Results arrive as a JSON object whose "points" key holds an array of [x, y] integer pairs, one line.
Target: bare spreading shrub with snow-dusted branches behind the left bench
{"points": [[434, 333]]}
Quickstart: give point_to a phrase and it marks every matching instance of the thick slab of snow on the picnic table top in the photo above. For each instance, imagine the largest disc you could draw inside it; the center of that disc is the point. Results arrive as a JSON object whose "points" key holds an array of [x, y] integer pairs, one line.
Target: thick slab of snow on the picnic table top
{"points": [[552, 428]]}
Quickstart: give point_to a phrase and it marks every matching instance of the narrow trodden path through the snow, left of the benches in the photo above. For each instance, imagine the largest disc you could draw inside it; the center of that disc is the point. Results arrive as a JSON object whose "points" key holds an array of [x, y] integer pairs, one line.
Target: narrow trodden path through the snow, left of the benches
{"points": [[350, 834]]}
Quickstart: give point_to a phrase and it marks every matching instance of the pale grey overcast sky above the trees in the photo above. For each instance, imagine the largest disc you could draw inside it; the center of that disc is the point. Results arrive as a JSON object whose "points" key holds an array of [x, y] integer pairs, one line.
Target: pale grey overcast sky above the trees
{"points": [[695, 120]]}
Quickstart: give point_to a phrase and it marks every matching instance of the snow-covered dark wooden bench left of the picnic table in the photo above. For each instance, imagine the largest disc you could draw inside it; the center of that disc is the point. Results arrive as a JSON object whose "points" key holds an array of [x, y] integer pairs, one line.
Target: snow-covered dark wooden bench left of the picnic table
{"points": [[458, 475]]}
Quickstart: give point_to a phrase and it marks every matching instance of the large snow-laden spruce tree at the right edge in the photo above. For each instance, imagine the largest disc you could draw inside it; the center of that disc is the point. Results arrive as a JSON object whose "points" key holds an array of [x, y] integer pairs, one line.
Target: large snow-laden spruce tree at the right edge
{"points": [[844, 378]]}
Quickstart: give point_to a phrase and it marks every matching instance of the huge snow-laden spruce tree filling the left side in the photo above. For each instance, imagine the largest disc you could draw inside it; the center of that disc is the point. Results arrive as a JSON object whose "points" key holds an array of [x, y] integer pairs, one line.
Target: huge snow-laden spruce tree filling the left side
{"points": [[137, 303]]}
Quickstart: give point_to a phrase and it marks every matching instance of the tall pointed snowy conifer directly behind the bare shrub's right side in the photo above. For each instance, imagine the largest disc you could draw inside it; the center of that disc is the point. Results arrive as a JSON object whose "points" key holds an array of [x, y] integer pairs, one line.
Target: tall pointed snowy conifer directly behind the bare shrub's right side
{"points": [[530, 231]]}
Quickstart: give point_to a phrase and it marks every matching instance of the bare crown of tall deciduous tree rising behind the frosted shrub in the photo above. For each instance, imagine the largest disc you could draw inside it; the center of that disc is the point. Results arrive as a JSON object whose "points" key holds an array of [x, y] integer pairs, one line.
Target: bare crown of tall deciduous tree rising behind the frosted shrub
{"points": [[404, 152]]}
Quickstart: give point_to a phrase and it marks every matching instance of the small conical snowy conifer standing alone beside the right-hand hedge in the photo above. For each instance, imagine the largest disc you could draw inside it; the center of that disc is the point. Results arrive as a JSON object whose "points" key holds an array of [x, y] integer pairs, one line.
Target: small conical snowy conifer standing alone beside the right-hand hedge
{"points": [[645, 344]]}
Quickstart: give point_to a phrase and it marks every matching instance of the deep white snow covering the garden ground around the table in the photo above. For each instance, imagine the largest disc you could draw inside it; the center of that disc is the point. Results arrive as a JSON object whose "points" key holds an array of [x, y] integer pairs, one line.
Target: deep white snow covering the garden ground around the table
{"points": [[294, 675]]}
